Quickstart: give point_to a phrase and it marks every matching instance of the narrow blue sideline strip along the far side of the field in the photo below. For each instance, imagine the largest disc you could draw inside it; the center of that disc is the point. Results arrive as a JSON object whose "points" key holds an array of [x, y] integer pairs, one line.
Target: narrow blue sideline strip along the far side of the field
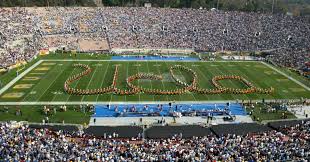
{"points": [[157, 58]]}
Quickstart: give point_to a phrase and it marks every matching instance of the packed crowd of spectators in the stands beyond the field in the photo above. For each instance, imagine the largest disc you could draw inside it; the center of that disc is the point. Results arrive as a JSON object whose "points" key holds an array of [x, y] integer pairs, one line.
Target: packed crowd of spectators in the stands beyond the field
{"points": [[150, 28]]}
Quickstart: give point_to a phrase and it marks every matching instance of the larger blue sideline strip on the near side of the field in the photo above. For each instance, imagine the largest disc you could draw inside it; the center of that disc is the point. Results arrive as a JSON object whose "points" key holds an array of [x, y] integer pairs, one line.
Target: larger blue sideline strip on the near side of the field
{"points": [[140, 110]]}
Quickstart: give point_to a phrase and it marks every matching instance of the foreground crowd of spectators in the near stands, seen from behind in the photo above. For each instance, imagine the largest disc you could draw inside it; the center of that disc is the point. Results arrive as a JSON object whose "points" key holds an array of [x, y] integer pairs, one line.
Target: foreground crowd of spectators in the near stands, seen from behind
{"points": [[27, 144]]}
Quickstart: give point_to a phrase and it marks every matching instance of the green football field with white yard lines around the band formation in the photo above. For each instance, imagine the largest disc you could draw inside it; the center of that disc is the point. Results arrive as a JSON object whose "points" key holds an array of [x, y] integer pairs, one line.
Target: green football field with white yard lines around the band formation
{"points": [[45, 82]]}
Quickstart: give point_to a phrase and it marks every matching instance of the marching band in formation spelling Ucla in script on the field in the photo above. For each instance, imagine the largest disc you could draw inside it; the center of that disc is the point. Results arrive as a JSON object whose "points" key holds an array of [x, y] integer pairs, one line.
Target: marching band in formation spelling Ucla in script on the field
{"points": [[187, 87]]}
